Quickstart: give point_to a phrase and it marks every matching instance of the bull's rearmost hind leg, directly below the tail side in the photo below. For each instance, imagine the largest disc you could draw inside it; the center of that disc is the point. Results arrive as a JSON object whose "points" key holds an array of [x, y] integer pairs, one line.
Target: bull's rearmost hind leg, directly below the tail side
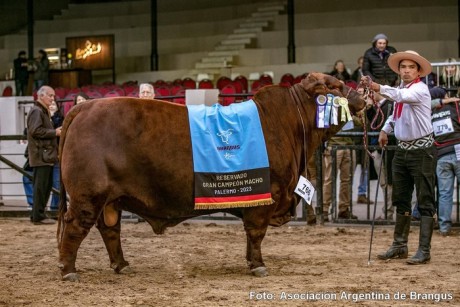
{"points": [[75, 226]]}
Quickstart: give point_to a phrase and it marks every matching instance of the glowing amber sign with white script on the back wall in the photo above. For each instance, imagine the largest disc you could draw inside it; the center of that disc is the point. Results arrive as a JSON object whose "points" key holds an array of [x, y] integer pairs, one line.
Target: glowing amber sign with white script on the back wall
{"points": [[91, 52]]}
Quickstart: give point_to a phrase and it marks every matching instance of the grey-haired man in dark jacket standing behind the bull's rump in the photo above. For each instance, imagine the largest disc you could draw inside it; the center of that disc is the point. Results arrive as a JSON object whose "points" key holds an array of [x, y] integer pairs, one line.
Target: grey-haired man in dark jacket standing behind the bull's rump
{"points": [[42, 148]]}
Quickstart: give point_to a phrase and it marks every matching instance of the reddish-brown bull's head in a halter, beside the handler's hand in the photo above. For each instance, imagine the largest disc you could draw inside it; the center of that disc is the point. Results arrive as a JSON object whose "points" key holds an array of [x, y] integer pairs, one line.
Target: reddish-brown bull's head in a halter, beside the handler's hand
{"points": [[321, 84]]}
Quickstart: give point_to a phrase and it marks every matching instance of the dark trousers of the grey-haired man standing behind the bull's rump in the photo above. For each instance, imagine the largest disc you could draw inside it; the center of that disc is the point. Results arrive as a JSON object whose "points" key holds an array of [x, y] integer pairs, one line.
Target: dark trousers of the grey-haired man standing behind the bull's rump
{"points": [[43, 181]]}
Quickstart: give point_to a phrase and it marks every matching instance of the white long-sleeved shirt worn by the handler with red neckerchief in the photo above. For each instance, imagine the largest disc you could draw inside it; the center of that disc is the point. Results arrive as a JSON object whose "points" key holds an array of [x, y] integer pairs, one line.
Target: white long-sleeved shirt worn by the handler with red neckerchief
{"points": [[413, 121]]}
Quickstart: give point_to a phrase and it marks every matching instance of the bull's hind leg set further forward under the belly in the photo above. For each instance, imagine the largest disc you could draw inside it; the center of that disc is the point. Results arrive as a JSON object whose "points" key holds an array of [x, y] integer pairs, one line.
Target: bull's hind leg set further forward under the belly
{"points": [[111, 236]]}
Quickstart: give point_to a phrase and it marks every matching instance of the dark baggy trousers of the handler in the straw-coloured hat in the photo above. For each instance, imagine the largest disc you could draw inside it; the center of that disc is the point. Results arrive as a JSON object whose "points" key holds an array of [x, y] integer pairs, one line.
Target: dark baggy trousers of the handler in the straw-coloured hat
{"points": [[414, 167]]}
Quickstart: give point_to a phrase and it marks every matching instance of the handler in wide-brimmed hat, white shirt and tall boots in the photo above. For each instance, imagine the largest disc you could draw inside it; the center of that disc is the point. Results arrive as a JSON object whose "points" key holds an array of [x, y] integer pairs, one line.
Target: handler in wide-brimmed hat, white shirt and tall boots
{"points": [[414, 161]]}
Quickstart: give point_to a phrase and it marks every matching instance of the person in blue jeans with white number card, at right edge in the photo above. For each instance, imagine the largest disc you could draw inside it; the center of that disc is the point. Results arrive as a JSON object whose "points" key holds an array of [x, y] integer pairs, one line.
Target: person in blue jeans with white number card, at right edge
{"points": [[446, 125]]}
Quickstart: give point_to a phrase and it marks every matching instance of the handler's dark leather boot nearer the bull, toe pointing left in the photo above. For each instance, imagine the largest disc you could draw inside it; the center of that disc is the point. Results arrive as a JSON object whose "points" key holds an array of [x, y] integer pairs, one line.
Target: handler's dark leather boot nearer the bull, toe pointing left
{"points": [[399, 247]]}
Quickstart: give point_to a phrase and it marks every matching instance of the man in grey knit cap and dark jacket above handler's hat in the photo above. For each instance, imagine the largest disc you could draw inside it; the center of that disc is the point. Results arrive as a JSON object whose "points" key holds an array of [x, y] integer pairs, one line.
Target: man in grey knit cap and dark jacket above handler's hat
{"points": [[375, 62]]}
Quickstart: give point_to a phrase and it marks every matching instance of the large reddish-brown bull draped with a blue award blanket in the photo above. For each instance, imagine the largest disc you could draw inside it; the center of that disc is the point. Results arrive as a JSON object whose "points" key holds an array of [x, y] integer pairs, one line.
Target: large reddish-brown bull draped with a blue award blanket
{"points": [[130, 154]]}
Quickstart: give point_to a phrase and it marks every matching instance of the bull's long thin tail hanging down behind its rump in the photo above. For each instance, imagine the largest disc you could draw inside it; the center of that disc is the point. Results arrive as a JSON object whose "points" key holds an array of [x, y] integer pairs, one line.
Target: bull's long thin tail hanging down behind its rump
{"points": [[63, 199]]}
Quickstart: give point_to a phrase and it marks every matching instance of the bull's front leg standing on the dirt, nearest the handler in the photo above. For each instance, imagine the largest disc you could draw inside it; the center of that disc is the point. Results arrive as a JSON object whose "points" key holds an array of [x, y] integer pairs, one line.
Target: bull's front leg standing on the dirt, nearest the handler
{"points": [[255, 235]]}
